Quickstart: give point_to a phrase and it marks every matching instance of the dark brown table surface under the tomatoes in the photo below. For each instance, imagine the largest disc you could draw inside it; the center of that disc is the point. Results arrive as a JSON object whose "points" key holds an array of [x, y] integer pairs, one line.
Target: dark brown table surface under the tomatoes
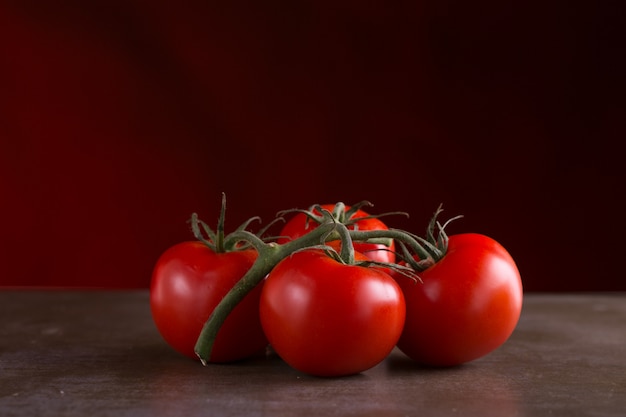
{"points": [[96, 353]]}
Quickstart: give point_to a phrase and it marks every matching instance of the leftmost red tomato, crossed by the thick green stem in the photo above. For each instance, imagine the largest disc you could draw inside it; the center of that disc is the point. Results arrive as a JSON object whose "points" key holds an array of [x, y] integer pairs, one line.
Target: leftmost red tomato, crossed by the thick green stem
{"points": [[188, 281]]}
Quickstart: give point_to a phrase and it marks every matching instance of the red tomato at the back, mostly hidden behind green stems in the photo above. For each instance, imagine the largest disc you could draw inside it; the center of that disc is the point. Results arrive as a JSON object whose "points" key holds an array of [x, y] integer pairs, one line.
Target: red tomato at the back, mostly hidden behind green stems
{"points": [[300, 225]]}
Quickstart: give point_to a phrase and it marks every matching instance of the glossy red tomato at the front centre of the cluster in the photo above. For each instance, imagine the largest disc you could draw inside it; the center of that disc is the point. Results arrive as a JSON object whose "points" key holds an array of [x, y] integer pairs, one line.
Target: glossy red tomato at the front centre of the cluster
{"points": [[326, 318]]}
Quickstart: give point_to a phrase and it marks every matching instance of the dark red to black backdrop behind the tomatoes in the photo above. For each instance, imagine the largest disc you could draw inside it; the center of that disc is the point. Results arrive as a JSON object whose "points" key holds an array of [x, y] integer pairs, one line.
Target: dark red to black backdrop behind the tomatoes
{"points": [[121, 118]]}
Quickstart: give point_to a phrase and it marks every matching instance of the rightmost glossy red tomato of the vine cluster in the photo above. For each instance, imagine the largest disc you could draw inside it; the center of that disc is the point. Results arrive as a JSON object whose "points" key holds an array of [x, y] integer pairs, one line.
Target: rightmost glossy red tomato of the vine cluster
{"points": [[467, 306]]}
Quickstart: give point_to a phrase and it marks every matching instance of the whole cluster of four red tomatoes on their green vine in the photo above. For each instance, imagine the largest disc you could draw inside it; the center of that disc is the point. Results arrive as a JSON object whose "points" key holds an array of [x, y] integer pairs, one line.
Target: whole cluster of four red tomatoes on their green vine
{"points": [[335, 292]]}
